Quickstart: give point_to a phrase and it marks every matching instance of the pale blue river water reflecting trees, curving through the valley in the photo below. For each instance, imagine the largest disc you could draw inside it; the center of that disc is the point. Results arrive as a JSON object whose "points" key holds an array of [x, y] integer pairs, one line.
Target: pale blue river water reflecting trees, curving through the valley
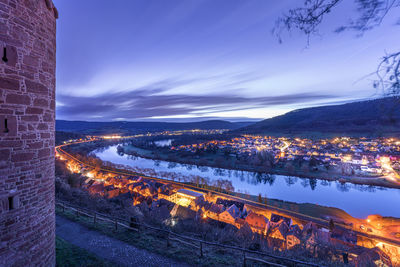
{"points": [[358, 200]]}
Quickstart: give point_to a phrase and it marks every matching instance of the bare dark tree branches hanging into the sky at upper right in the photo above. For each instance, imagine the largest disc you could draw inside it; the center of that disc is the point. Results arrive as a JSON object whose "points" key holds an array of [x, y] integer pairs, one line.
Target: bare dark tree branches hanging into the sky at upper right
{"points": [[308, 18]]}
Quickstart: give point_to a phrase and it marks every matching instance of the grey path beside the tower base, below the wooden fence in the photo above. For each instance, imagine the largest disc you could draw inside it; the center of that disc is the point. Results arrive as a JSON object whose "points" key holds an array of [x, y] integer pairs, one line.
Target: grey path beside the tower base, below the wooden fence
{"points": [[116, 251]]}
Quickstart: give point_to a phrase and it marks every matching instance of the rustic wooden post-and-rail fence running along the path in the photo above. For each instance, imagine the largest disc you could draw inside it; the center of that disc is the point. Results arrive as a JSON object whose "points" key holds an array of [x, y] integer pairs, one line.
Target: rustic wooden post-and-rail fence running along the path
{"points": [[273, 260]]}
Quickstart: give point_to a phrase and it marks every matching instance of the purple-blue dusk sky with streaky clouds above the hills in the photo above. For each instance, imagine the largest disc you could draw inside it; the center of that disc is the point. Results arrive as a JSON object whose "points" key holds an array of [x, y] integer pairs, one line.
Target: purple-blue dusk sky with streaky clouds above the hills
{"points": [[179, 60]]}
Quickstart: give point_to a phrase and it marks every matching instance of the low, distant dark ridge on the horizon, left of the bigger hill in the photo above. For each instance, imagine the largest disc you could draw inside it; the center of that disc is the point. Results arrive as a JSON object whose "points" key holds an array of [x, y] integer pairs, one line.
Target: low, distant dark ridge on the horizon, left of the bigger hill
{"points": [[124, 127]]}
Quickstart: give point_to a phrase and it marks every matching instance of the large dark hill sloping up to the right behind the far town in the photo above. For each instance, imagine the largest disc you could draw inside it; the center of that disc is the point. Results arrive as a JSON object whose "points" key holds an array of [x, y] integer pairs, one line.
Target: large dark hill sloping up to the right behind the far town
{"points": [[379, 117]]}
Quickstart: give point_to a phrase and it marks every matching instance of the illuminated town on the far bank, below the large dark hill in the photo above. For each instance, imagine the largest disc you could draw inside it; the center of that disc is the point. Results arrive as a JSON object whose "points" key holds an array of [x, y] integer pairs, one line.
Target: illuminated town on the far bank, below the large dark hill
{"points": [[361, 156]]}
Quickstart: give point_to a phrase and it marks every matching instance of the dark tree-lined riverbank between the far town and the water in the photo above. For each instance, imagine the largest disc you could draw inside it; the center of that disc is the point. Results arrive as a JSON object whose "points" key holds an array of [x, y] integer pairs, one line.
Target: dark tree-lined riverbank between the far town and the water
{"points": [[359, 180]]}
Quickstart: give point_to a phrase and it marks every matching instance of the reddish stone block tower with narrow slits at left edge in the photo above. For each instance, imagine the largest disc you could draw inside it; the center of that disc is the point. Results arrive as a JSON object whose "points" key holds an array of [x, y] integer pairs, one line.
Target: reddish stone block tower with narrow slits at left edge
{"points": [[27, 112]]}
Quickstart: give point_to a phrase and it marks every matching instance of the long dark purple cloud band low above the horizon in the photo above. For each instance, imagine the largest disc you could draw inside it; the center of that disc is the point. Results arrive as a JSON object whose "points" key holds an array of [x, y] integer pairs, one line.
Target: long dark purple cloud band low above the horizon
{"points": [[154, 100]]}
